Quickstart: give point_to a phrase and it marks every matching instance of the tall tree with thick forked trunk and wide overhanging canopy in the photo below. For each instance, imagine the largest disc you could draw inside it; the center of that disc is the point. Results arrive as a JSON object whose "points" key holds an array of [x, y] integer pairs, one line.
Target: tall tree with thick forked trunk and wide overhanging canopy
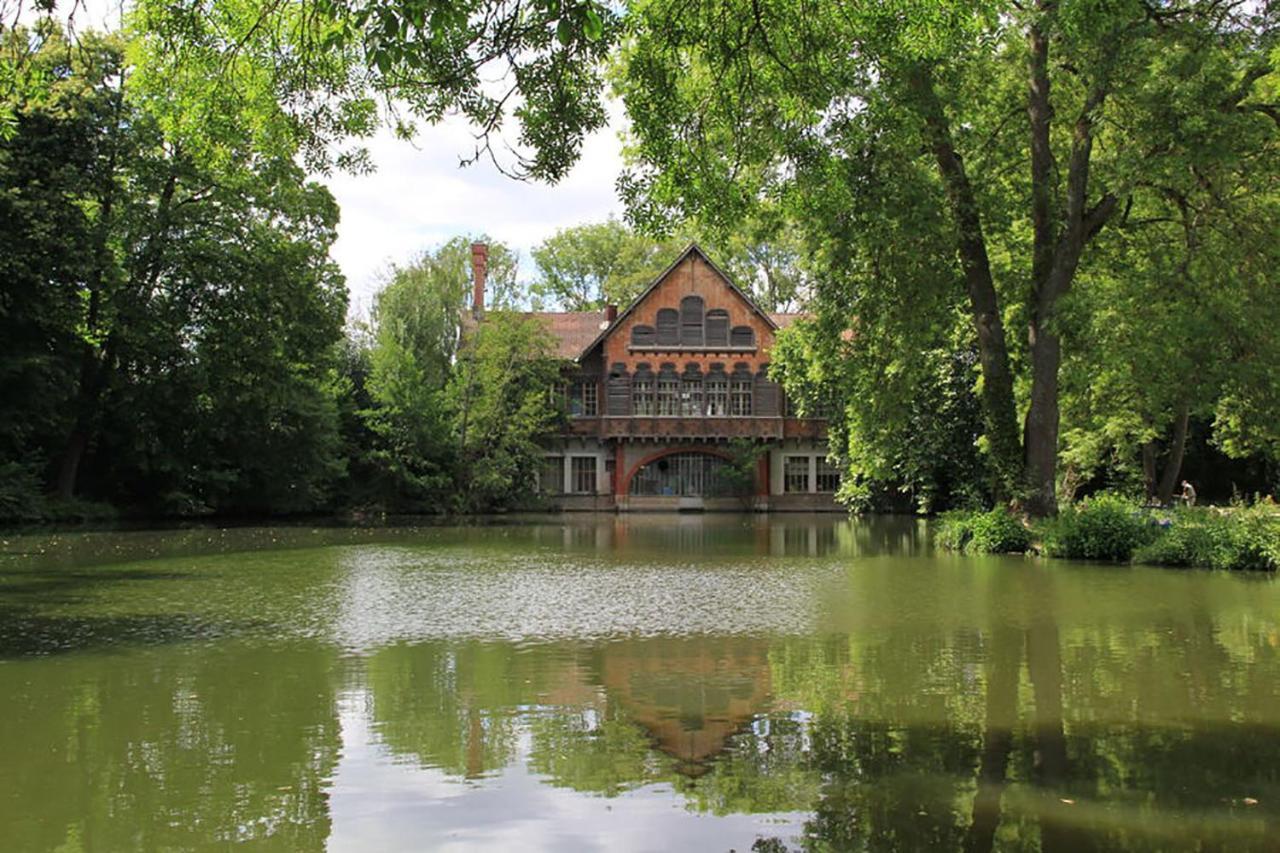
{"points": [[1039, 122]]}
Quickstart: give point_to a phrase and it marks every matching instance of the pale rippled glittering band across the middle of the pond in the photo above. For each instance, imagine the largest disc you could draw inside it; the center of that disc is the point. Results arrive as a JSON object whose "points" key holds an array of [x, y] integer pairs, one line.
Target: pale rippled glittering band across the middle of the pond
{"points": [[396, 595]]}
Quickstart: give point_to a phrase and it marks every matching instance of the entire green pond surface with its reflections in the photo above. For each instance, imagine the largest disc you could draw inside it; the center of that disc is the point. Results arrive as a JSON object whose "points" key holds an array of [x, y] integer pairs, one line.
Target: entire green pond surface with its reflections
{"points": [[627, 683]]}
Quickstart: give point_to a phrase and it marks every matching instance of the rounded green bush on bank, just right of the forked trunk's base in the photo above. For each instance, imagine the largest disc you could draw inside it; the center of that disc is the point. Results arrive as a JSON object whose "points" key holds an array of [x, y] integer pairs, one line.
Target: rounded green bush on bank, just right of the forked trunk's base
{"points": [[1105, 527]]}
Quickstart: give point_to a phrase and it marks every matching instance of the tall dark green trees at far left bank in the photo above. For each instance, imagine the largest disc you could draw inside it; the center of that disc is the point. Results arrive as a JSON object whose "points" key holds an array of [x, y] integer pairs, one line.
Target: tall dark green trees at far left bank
{"points": [[168, 327]]}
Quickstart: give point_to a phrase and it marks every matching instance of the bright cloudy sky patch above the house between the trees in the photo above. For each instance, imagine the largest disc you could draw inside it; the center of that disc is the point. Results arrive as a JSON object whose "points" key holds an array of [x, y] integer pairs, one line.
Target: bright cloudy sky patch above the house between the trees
{"points": [[420, 197]]}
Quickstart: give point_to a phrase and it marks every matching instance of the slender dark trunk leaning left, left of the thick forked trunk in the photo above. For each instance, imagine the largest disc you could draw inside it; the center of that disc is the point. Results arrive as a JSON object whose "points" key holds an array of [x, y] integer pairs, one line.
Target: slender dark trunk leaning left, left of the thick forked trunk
{"points": [[1000, 414]]}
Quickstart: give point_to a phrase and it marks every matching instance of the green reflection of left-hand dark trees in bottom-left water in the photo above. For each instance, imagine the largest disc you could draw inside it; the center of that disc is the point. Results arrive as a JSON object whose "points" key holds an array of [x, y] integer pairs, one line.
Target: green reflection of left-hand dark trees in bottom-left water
{"points": [[171, 751]]}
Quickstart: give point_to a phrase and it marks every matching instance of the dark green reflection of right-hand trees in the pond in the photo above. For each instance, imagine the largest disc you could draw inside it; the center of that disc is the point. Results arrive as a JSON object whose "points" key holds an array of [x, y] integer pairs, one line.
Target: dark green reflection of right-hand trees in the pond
{"points": [[1022, 735]]}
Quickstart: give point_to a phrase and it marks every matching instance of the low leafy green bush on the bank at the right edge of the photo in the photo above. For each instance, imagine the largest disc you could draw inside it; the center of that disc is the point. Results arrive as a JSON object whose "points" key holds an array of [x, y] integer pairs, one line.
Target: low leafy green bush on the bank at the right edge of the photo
{"points": [[1241, 540]]}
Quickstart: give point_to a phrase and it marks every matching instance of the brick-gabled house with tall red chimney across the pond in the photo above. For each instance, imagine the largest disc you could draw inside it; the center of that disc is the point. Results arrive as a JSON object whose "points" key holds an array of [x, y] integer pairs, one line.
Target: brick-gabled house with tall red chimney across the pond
{"points": [[660, 390]]}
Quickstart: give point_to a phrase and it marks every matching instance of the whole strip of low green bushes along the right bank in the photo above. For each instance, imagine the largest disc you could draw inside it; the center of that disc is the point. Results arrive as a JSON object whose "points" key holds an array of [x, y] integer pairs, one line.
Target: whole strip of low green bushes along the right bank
{"points": [[1110, 528]]}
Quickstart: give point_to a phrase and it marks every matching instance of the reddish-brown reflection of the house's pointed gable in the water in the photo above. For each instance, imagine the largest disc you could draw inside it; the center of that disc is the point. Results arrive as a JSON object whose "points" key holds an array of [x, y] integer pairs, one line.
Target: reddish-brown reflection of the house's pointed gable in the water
{"points": [[692, 696]]}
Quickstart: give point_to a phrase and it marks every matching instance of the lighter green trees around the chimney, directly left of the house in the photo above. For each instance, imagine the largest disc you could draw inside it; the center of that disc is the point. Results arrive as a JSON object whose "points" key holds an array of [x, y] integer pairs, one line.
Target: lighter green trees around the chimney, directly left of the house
{"points": [[446, 416]]}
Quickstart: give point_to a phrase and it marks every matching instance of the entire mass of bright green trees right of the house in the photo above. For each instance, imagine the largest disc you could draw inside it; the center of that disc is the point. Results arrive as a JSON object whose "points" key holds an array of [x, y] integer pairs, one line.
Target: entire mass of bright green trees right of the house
{"points": [[993, 168]]}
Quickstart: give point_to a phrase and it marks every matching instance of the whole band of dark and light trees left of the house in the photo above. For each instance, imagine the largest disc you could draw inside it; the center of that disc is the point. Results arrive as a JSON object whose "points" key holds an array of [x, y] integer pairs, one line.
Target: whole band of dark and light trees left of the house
{"points": [[172, 331]]}
